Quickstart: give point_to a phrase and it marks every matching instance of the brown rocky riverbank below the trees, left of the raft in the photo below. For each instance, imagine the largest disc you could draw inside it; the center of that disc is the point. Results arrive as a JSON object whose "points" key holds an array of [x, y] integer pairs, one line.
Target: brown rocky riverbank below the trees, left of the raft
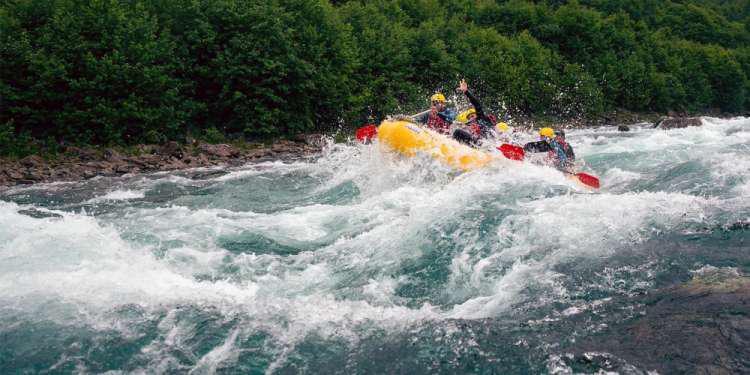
{"points": [[82, 163]]}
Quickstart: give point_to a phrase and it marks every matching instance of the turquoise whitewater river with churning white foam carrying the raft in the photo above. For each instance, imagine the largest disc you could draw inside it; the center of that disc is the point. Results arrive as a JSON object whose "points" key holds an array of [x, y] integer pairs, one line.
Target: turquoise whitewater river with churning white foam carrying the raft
{"points": [[357, 261]]}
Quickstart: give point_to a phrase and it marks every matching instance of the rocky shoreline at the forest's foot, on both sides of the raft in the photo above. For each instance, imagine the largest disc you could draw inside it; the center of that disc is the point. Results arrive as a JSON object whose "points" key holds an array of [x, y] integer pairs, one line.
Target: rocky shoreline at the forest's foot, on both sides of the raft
{"points": [[78, 164]]}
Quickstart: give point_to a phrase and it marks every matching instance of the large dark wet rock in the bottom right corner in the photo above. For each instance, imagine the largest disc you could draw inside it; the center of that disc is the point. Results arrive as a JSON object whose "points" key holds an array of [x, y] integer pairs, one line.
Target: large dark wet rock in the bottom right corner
{"points": [[702, 326]]}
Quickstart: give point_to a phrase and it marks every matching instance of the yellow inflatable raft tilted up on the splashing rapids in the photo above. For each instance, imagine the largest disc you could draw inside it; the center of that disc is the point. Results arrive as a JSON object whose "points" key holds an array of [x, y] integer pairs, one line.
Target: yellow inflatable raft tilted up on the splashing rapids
{"points": [[408, 139]]}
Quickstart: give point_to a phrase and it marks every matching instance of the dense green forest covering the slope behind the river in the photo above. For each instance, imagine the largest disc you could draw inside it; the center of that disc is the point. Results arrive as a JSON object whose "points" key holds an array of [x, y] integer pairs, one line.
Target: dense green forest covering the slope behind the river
{"points": [[121, 72]]}
